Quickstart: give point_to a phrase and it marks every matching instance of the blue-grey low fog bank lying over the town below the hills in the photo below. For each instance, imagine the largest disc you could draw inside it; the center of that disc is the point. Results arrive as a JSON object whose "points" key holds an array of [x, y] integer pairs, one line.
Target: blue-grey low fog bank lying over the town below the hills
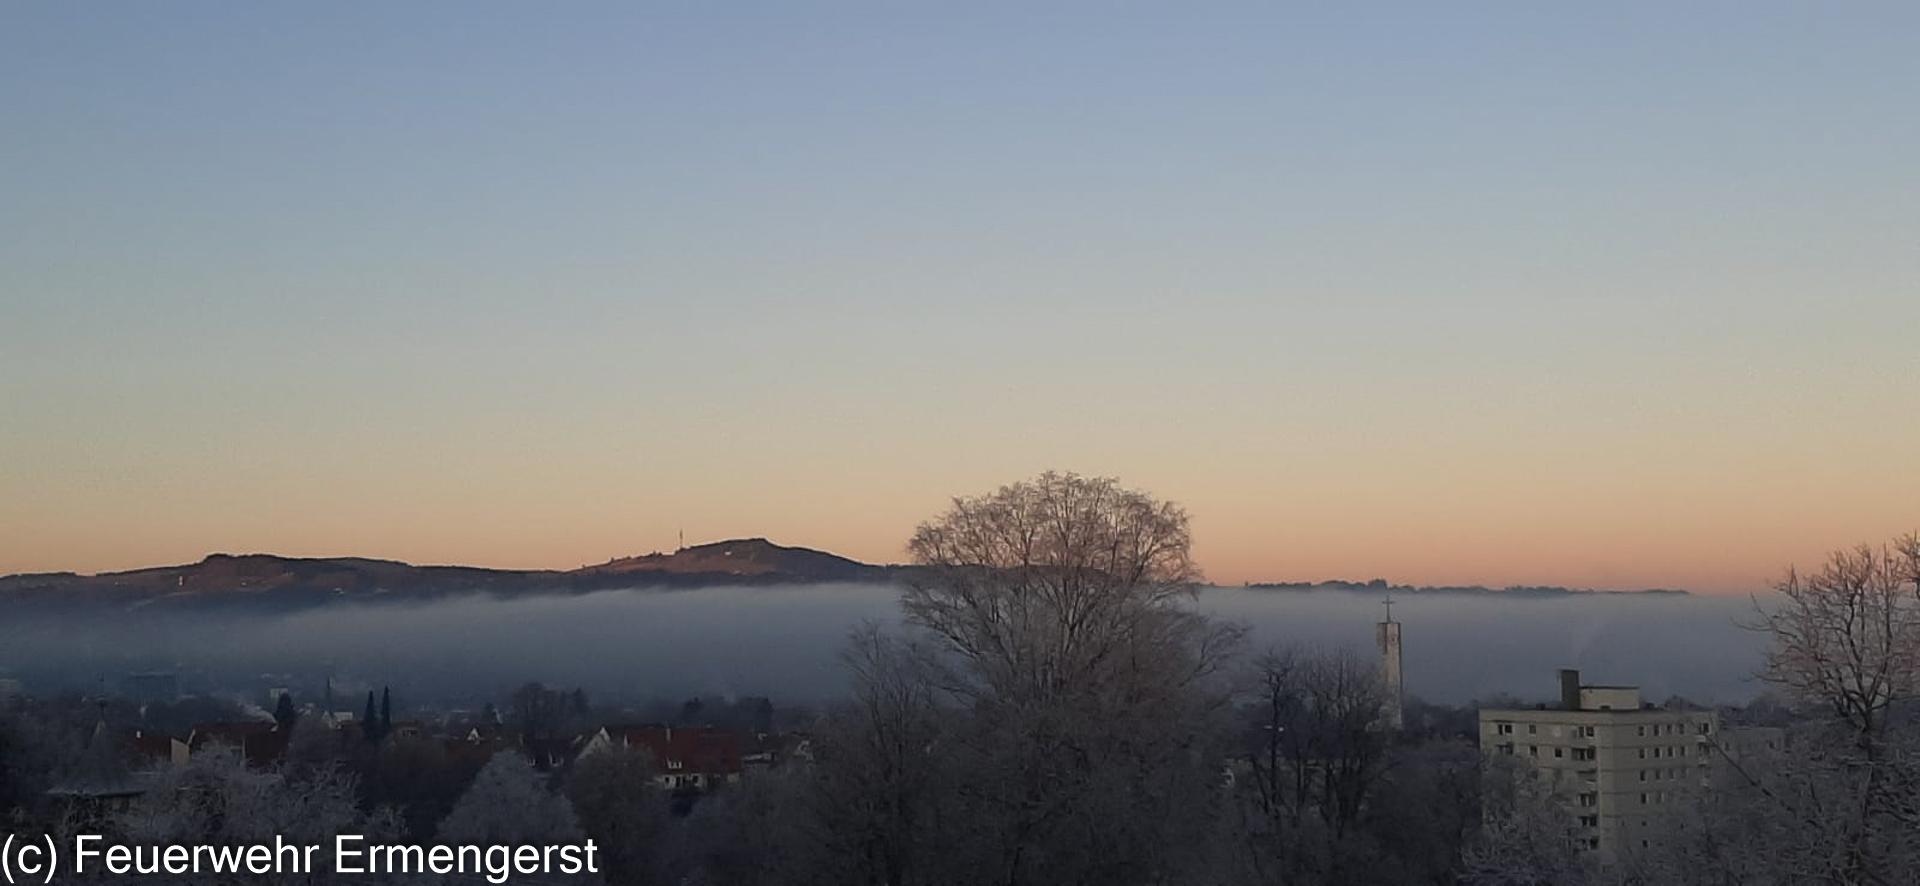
{"points": [[784, 641]]}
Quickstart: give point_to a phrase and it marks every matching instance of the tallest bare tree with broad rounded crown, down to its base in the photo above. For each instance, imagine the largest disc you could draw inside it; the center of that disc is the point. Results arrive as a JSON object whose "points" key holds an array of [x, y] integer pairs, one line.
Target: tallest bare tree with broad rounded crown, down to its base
{"points": [[1061, 628]]}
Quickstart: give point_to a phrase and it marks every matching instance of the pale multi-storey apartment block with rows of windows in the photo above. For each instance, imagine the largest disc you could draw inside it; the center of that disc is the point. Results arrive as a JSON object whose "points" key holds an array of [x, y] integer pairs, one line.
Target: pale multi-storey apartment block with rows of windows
{"points": [[1623, 768]]}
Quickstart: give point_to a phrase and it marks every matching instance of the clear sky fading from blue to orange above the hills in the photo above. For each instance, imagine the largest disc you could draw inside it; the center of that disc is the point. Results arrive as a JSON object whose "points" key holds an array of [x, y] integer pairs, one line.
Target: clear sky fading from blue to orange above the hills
{"points": [[1598, 295]]}
